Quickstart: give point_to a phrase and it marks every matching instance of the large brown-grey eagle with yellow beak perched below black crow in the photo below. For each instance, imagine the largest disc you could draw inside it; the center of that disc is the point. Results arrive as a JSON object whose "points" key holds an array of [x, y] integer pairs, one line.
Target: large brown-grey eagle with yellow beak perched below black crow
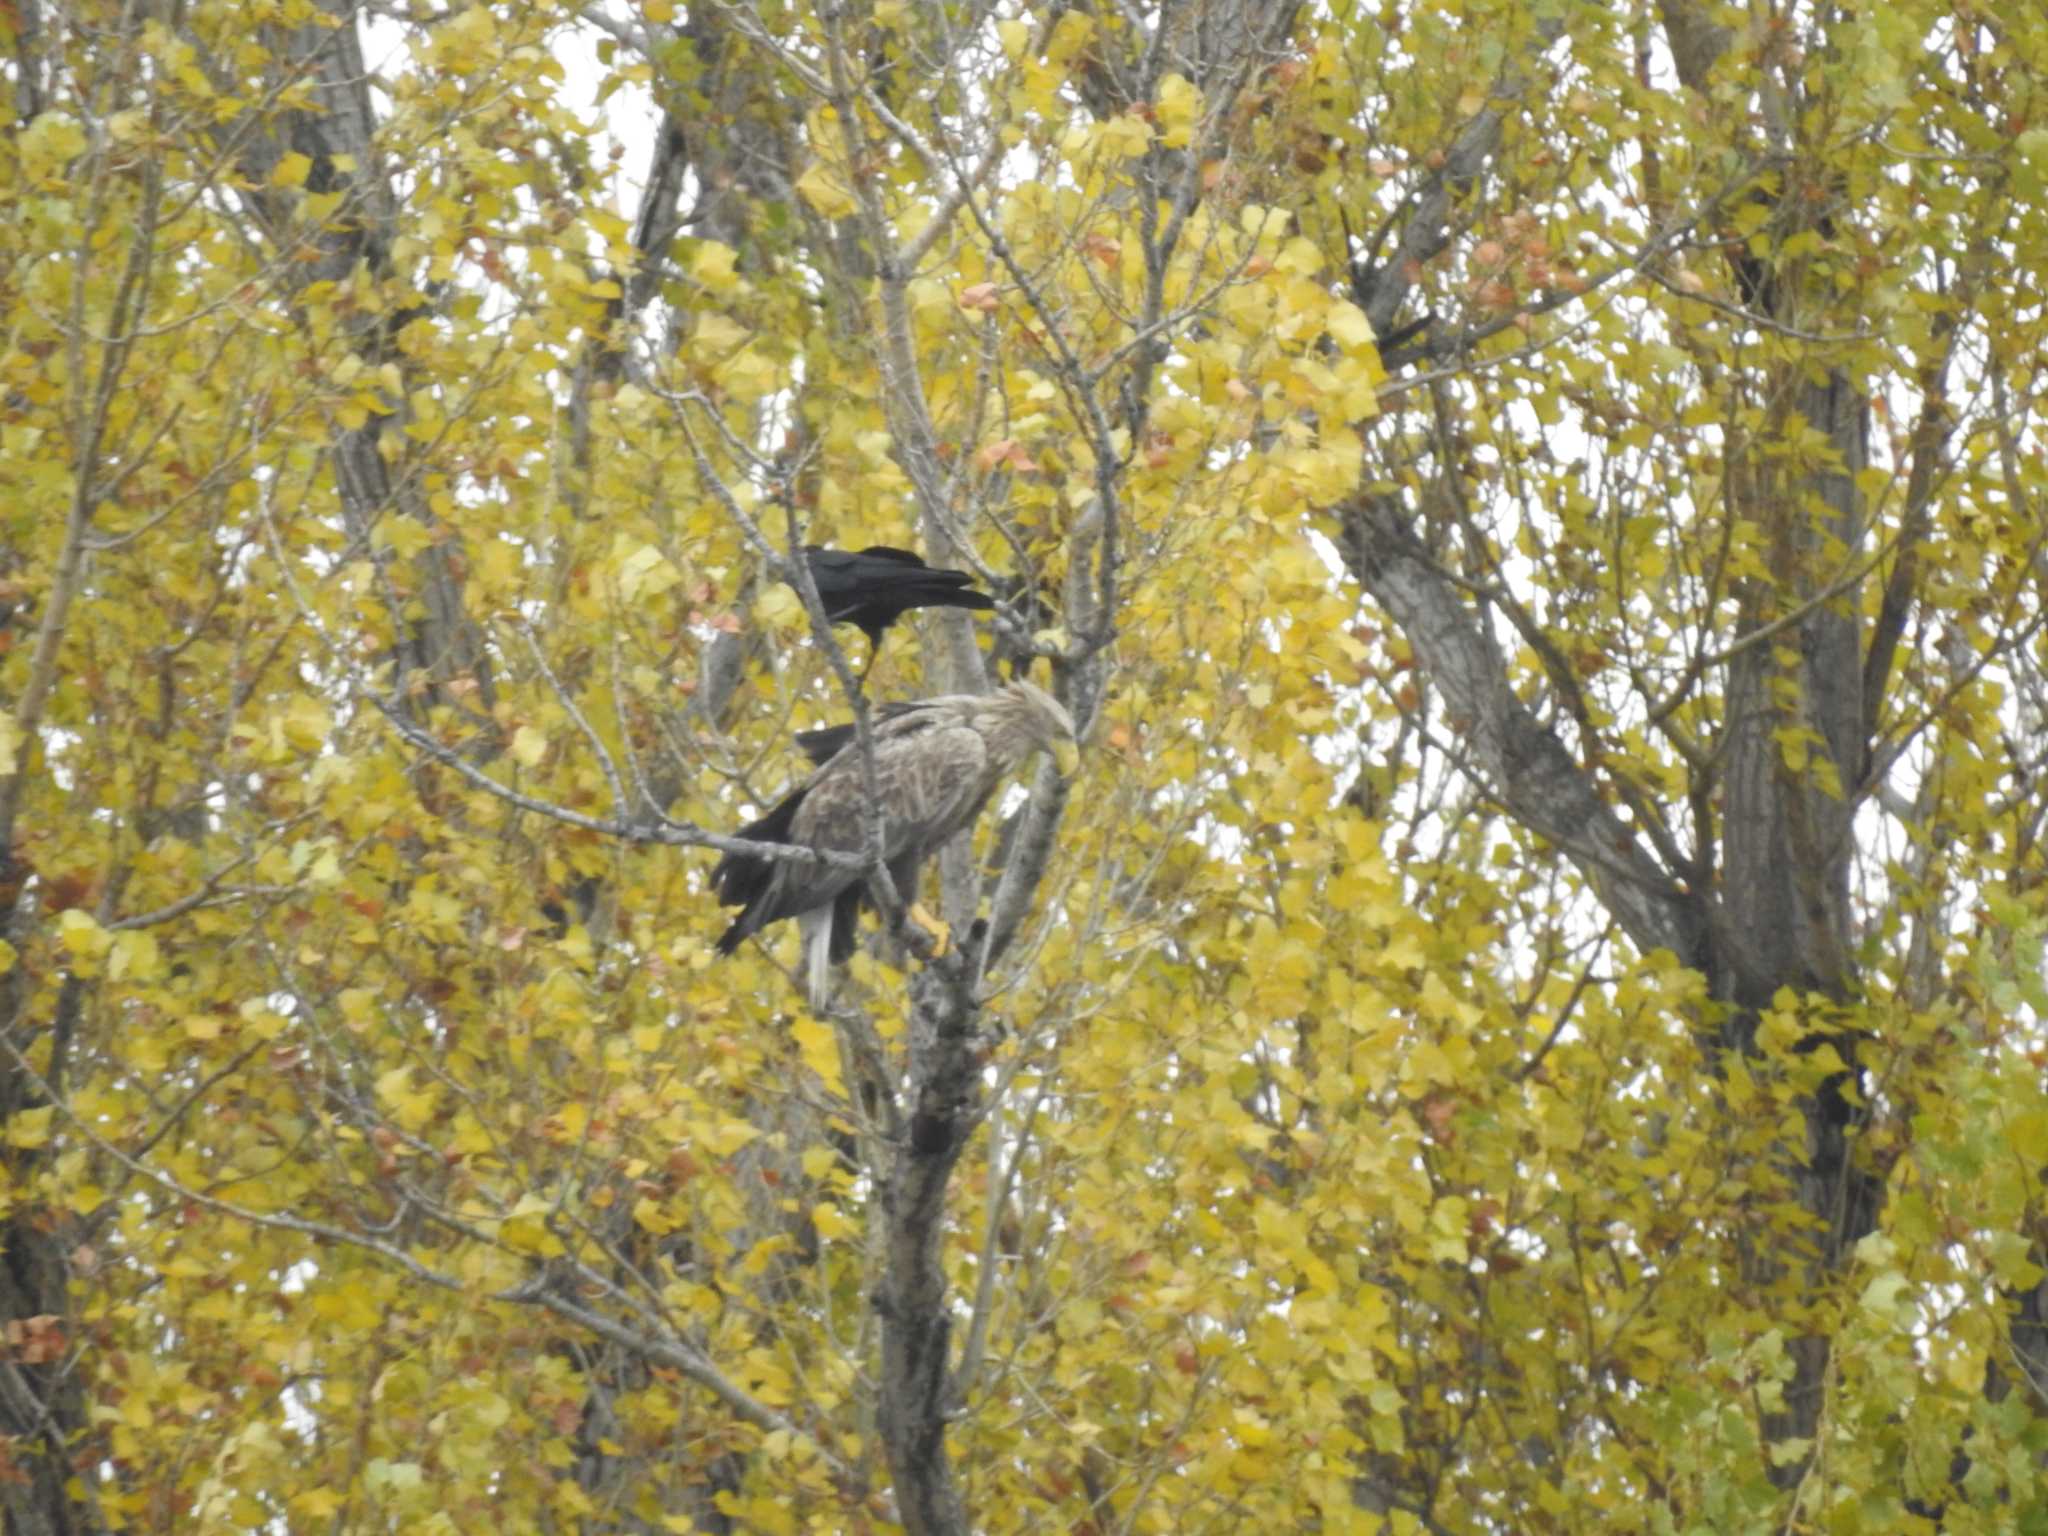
{"points": [[937, 763]]}
